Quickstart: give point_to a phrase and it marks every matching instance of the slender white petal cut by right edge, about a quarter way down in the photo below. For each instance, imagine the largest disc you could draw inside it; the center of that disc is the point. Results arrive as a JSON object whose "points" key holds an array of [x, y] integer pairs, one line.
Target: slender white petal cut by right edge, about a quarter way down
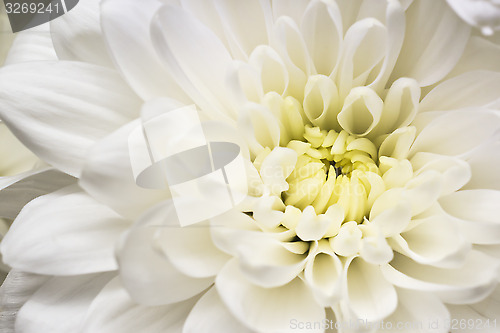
{"points": [[477, 88]]}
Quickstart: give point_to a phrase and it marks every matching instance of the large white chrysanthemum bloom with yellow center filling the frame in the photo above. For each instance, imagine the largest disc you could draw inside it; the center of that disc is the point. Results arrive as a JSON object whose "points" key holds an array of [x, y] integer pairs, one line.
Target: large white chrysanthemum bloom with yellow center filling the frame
{"points": [[369, 129]]}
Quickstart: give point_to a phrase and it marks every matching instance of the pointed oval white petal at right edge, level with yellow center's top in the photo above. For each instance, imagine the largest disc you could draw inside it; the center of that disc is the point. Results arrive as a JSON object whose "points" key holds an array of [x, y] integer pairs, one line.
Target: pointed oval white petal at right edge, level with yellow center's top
{"points": [[457, 132]]}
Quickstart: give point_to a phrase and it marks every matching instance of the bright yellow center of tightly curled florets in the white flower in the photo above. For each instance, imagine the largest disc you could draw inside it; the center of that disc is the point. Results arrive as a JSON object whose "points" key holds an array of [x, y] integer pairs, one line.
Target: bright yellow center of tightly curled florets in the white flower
{"points": [[332, 168]]}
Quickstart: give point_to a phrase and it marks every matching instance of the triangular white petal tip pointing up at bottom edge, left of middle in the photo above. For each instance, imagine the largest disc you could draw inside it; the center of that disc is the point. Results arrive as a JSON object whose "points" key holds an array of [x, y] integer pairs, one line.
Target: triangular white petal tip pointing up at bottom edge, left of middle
{"points": [[210, 315]]}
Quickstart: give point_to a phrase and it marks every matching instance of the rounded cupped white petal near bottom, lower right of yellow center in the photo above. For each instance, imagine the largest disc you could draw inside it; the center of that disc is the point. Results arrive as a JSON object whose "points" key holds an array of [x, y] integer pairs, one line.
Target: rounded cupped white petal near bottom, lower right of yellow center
{"points": [[371, 296]]}
